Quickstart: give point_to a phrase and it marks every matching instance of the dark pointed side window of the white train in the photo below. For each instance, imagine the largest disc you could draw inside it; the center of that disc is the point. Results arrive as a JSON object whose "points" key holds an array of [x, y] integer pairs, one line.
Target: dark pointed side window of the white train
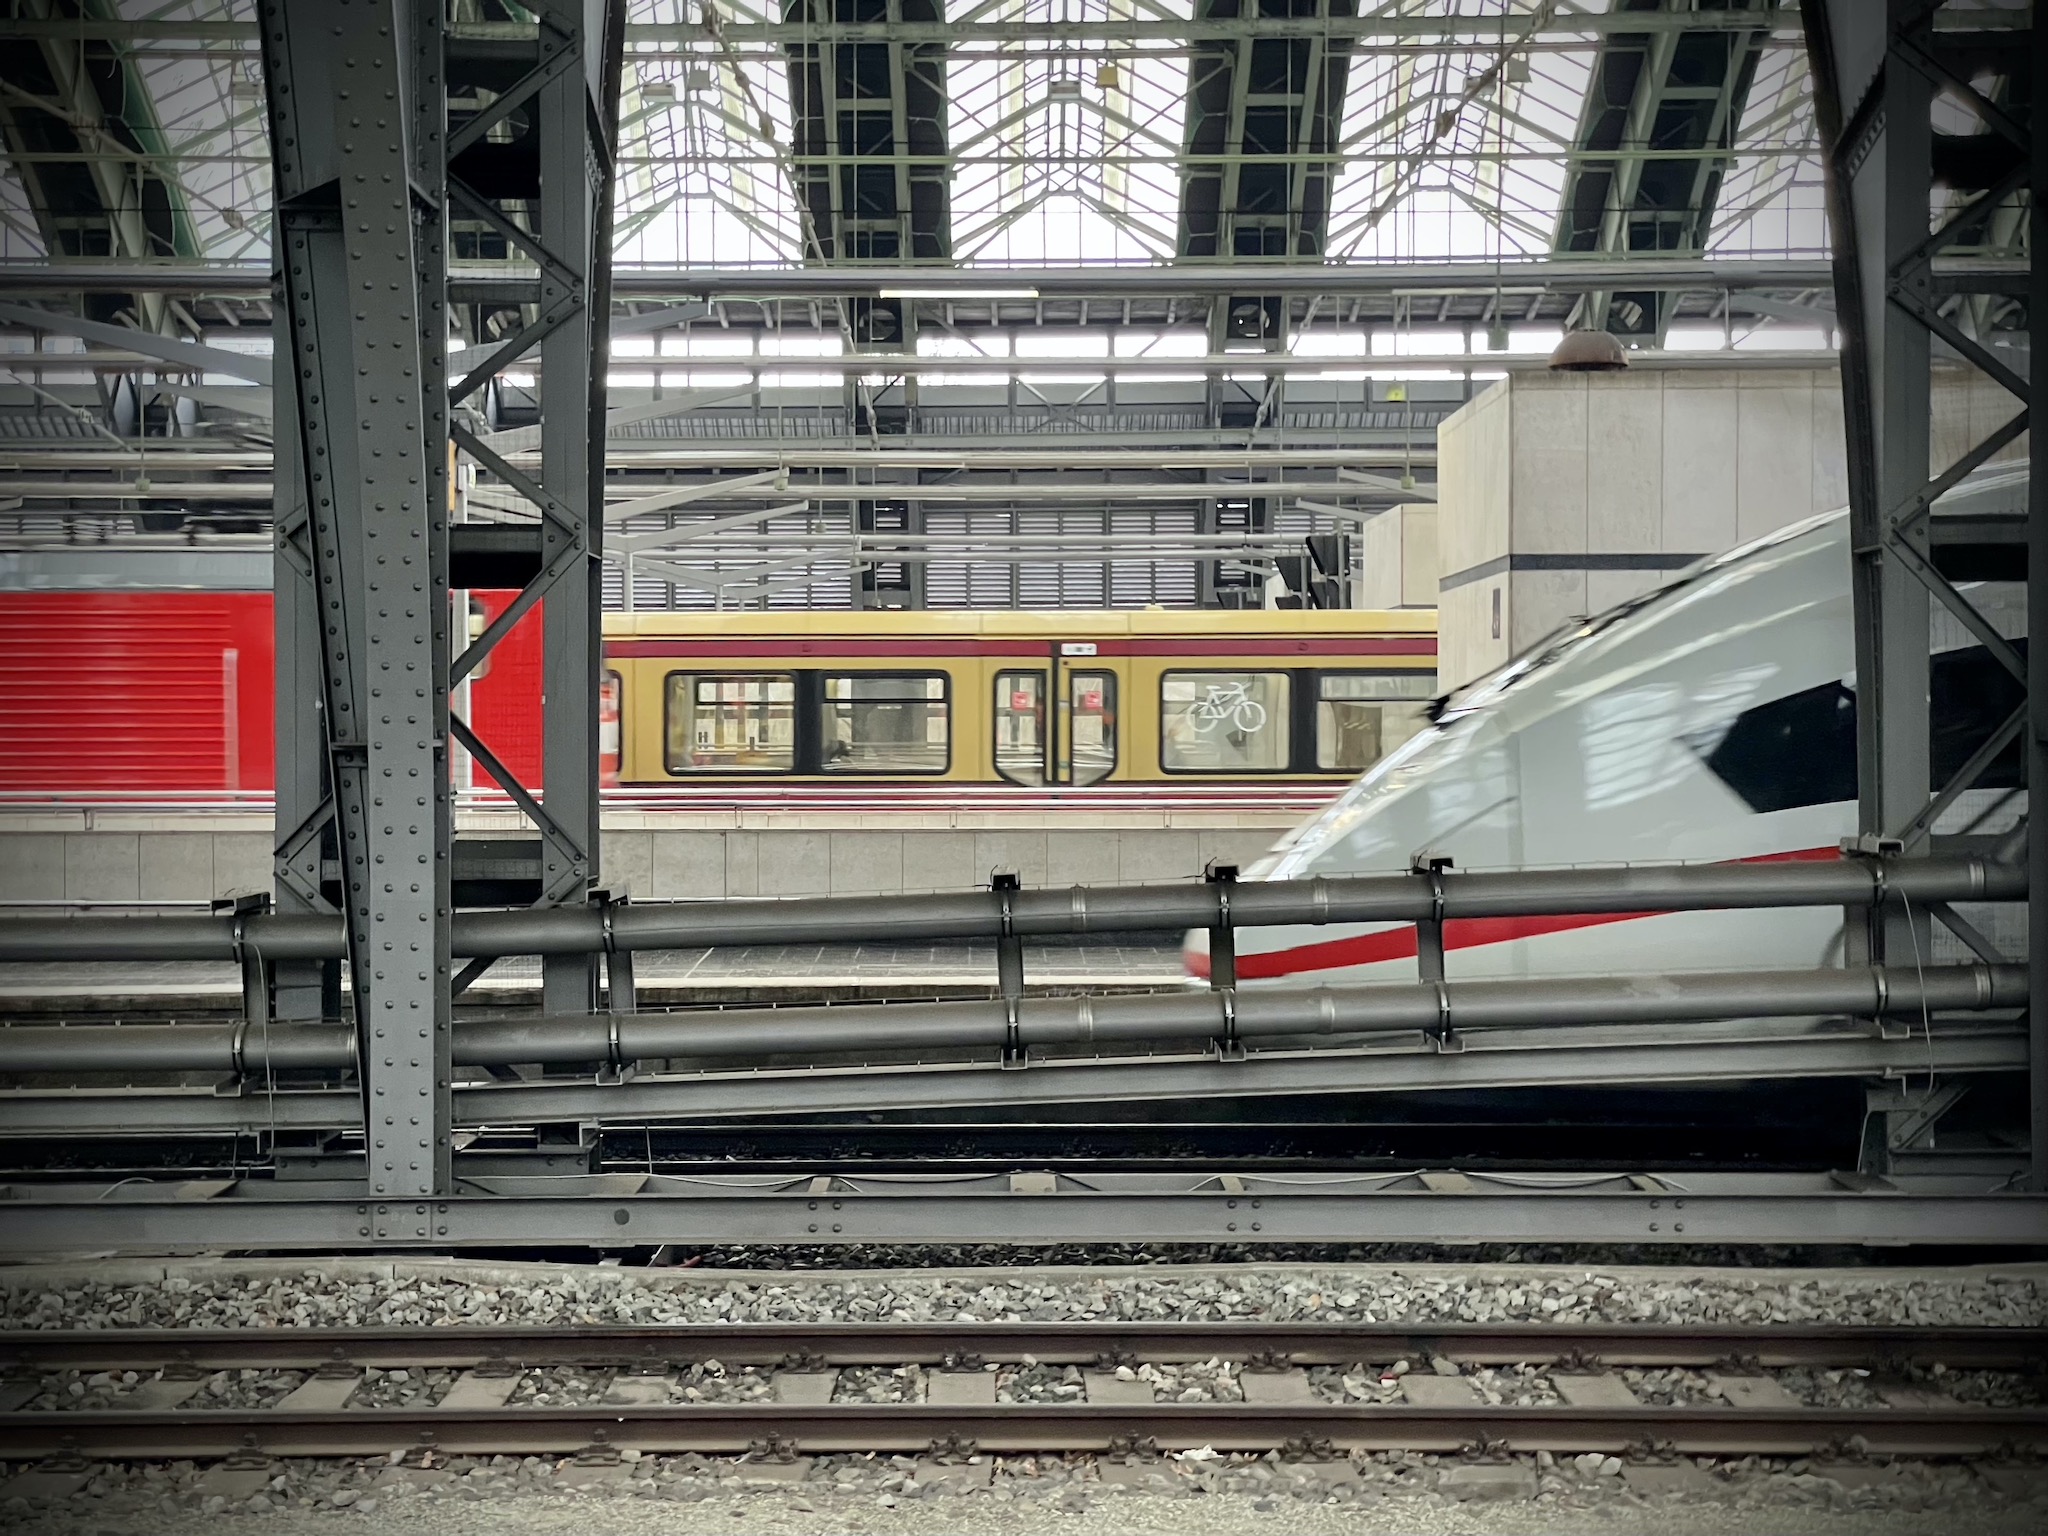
{"points": [[1801, 751]]}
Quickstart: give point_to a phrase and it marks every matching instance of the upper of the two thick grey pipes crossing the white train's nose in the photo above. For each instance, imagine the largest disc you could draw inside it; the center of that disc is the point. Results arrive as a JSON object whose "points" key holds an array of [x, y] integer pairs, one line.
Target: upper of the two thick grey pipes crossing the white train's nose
{"points": [[1062, 910]]}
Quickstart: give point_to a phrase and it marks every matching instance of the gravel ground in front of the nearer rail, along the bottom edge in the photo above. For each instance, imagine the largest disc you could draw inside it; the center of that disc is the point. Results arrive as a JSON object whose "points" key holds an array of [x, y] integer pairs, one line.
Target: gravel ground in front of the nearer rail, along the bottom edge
{"points": [[1017, 1496]]}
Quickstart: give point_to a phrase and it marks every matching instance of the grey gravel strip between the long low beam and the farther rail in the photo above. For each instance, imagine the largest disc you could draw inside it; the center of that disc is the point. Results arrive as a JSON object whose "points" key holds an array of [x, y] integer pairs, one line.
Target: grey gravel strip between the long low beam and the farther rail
{"points": [[425, 1293]]}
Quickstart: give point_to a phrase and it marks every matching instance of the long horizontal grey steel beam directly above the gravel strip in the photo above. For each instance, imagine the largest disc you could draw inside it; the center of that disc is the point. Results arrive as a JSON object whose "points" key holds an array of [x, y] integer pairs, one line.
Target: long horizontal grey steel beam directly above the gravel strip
{"points": [[638, 1209]]}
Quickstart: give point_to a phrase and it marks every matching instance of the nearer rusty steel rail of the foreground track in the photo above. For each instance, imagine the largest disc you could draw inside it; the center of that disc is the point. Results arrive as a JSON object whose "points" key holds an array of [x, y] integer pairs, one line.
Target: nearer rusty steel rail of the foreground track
{"points": [[1963, 1431]]}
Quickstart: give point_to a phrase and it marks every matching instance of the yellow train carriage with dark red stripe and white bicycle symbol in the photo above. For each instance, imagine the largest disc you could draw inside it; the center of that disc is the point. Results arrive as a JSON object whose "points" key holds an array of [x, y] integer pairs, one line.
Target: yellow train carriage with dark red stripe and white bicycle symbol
{"points": [[1021, 699]]}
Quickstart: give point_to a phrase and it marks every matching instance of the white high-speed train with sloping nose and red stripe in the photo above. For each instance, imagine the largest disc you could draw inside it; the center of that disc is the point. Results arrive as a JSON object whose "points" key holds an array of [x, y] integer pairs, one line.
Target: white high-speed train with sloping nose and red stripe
{"points": [[1711, 720]]}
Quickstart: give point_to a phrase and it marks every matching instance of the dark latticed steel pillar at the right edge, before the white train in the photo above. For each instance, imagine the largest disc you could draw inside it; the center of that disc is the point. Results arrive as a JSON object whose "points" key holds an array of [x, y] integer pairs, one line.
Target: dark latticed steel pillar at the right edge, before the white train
{"points": [[1875, 91]]}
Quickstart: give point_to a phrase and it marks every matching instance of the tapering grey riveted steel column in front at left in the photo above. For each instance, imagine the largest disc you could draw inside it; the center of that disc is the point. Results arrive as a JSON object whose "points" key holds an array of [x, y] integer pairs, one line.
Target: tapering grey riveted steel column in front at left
{"points": [[359, 239]]}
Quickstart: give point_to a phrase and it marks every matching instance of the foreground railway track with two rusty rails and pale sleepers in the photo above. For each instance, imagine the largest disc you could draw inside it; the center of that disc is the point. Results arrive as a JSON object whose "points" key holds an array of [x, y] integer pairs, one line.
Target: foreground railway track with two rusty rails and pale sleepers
{"points": [[636, 1375]]}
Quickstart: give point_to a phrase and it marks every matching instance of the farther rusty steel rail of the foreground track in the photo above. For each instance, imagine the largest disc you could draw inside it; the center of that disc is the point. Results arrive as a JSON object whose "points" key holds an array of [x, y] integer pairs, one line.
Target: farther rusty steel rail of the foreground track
{"points": [[894, 1345]]}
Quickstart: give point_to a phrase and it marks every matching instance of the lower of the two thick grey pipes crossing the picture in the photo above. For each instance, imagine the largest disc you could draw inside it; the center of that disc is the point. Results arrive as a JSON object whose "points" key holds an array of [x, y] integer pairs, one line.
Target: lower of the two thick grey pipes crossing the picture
{"points": [[978, 1025]]}
